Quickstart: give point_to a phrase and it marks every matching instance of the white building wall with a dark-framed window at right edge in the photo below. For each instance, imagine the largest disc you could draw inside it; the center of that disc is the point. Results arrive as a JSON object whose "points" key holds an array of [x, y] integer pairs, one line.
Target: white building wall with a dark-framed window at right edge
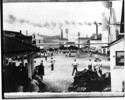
{"points": [[117, 66]]}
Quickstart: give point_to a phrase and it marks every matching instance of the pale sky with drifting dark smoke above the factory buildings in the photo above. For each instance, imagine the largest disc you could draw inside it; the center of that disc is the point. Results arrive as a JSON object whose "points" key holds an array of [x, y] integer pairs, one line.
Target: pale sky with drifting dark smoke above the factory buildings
{"points": [[50, 18]]}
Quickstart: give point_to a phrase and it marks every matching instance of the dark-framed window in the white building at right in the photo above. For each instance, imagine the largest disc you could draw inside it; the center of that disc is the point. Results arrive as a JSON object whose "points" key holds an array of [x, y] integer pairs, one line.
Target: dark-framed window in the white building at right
{"points": [[119, 58]]}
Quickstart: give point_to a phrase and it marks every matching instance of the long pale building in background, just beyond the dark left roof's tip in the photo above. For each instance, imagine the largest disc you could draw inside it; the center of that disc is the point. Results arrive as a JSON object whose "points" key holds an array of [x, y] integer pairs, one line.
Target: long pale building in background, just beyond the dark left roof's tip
{"points": [[45, 42]]}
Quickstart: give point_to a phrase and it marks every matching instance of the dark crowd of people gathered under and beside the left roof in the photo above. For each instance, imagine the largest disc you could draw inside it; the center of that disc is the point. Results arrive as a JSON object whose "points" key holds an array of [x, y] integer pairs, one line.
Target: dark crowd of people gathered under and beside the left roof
{"points": [[15, 78]]}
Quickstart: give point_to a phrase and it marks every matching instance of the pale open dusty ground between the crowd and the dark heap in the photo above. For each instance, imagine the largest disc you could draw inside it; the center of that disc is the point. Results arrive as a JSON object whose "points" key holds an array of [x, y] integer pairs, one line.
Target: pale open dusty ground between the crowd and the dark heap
{"points": [[60, 79]]}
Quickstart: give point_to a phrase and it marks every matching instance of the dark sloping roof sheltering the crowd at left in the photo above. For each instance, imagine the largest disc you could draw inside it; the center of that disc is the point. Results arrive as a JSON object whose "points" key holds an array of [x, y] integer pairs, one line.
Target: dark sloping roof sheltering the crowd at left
{"points": [[13, 47]]}
